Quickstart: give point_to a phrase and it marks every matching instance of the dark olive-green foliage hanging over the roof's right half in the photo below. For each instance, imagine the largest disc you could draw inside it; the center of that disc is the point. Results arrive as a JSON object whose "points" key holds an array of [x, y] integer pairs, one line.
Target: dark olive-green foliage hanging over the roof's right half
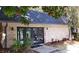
{"points": [[55, 11]]}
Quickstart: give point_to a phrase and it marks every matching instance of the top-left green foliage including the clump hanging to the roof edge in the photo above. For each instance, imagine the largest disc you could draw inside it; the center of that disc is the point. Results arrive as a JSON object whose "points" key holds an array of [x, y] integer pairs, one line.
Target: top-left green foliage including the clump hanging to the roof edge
{"points": [[10, 11]]}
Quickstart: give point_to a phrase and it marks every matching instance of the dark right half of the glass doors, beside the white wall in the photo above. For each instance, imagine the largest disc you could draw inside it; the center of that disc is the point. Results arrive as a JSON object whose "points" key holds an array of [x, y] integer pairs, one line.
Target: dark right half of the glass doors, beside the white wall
{"points": [[37, 35]]}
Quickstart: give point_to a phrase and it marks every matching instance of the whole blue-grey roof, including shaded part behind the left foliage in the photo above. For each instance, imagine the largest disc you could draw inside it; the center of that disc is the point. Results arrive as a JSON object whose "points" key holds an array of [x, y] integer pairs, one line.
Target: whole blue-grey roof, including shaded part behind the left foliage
{"points": [[36, 18]]}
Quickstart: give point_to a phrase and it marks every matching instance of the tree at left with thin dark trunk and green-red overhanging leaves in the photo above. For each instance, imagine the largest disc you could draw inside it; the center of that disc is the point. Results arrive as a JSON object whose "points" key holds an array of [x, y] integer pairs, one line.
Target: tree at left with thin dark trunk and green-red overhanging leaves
{"points": [[11, 11]]}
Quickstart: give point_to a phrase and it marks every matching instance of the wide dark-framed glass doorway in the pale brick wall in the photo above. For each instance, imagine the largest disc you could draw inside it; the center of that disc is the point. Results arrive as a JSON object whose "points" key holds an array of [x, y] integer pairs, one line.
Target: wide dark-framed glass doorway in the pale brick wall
{"points": [[35, 33]]}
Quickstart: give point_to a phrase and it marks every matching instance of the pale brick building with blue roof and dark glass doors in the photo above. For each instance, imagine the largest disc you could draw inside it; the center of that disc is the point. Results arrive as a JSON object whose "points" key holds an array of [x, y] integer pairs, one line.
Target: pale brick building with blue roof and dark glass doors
{"points": [[42, 29]]}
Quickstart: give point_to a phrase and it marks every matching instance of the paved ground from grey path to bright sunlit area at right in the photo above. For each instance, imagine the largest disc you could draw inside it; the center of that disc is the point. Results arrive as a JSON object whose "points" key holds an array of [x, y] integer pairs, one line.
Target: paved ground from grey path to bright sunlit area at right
{"points": [[66, 47]]}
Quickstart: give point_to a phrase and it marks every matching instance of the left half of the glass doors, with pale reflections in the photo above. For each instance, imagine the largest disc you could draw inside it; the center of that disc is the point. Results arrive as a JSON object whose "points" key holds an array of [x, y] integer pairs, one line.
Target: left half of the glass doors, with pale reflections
{"points": [[23, 33]]}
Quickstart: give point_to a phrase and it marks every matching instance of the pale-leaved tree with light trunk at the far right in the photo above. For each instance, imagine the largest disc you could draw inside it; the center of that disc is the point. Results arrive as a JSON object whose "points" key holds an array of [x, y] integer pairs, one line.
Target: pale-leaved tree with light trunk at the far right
{"points": [[72, 14]]}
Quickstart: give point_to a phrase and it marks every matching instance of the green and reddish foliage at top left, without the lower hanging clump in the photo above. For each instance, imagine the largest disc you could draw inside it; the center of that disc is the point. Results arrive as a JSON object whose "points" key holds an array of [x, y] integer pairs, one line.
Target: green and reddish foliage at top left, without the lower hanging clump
{"points": [[13, 10]]}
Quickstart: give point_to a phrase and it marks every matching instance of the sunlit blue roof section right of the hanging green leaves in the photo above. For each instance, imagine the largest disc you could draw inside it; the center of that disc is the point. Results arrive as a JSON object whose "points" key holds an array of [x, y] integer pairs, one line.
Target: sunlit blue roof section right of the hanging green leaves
{"points": [[43, 18]]}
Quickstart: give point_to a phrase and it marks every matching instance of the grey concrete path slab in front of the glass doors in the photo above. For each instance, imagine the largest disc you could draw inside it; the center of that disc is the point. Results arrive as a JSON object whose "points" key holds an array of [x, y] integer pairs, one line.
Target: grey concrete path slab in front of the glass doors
{"points": [[45, 49]]}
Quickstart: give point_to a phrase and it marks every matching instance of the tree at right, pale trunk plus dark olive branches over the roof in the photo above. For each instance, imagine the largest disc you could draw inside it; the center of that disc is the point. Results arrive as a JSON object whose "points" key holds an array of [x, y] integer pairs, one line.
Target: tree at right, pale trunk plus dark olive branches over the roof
{"points": [[70, 12]]}
